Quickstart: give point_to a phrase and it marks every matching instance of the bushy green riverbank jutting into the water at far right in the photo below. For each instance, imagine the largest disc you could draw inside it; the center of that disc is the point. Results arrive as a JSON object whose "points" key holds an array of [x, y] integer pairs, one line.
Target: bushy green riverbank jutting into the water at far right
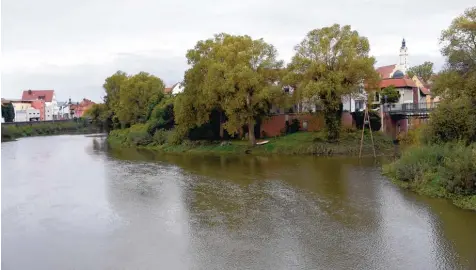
{"points": [[445, 171]]}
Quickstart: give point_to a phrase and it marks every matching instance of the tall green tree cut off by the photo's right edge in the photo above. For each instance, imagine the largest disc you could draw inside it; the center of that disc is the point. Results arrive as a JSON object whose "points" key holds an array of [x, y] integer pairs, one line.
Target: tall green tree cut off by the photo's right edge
{"points": [[455, 118]]}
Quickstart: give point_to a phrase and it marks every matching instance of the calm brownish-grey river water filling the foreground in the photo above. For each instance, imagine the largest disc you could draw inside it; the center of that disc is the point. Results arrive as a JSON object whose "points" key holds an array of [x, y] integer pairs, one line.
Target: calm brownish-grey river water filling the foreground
{"points": [[69, 203]]}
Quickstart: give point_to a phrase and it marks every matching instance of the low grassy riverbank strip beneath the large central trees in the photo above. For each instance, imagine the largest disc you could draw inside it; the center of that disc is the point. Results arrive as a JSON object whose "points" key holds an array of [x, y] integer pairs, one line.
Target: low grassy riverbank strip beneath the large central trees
{"points": [[300, 143]]}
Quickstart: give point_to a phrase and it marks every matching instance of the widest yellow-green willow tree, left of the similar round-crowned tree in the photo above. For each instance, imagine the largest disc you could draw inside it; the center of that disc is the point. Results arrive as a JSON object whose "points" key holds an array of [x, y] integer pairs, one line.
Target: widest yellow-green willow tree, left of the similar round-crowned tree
{"points": [[236, 75]]}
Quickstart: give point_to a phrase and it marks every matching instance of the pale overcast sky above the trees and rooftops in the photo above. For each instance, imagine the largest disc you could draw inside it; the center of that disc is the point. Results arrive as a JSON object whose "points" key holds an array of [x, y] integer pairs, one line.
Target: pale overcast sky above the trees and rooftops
{"points": [[72, 46]]}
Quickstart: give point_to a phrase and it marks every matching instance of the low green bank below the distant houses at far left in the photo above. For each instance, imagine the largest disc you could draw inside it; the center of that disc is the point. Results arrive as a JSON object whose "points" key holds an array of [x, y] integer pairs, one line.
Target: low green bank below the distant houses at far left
{"points": [[80, 126]]}
